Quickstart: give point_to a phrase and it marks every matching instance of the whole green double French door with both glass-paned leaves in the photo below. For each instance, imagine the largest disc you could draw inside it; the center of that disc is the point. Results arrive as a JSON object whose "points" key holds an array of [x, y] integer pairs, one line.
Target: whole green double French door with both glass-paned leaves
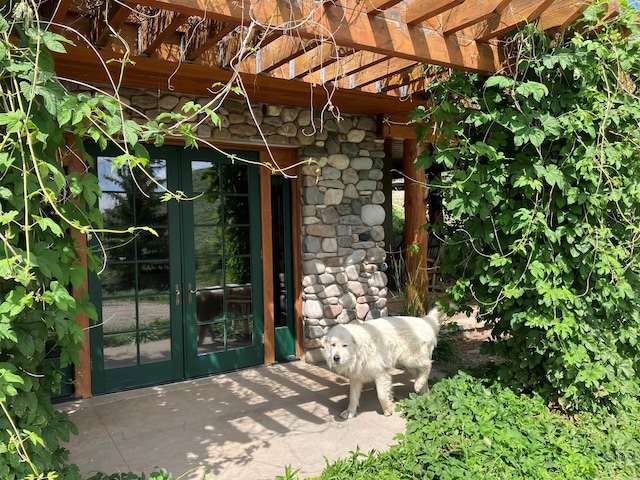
{"points": [[186, 299]]}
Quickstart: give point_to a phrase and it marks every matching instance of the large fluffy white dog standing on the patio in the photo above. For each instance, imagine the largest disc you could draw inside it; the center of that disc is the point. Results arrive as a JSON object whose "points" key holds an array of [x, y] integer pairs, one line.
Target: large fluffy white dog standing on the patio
{"points": [[368, 351]]}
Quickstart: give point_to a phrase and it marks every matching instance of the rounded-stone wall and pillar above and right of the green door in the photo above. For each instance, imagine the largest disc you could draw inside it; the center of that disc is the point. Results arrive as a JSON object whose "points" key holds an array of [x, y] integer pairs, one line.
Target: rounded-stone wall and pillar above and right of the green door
{"points": [[342, 201]]}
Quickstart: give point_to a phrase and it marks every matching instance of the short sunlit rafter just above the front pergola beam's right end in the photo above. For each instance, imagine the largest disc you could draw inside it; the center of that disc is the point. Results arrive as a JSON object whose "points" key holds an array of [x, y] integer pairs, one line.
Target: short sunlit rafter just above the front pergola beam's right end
{"points": [[518, 13]]}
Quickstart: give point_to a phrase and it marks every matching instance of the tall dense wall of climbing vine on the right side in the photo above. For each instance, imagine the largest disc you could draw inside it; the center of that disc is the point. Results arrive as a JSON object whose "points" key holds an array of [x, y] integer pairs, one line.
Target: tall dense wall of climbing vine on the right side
{"points": [[543, 186]]}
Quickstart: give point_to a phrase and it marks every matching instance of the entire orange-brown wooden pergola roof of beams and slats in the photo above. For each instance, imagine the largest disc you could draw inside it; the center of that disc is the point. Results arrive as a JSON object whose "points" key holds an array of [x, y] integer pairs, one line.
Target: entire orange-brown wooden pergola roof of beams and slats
{"points": [[361, 47]]}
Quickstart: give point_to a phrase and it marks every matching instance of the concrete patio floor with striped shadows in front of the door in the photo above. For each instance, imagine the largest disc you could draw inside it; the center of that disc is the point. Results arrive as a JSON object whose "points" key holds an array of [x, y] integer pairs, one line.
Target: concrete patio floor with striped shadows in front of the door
{"points": [[247, 424]]}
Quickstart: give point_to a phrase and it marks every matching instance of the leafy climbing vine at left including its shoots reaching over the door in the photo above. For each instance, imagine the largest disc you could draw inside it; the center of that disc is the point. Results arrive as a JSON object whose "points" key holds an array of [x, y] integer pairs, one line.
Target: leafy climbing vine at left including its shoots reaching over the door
{"points": [[42, 208]]}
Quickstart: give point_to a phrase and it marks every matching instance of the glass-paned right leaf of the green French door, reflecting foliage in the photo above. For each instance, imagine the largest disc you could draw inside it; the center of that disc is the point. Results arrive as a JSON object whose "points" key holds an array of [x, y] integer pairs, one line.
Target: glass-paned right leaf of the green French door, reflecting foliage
{"points": [[225, 226]]}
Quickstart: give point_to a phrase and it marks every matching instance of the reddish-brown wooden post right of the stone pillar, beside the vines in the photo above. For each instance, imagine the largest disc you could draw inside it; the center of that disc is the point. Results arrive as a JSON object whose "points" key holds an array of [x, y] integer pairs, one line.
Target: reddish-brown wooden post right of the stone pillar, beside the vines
{"points": [[415, 216]]}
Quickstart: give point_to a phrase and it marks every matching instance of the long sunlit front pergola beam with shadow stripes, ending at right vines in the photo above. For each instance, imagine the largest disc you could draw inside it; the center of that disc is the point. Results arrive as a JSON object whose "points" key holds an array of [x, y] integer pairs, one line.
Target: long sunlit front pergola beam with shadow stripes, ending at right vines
{"points": [[353, 29]]}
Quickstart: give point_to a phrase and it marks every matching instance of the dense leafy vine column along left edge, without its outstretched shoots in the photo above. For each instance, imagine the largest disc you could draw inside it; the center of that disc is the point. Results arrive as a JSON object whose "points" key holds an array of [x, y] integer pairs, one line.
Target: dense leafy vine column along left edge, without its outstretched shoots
{"points": [[40, 261]]}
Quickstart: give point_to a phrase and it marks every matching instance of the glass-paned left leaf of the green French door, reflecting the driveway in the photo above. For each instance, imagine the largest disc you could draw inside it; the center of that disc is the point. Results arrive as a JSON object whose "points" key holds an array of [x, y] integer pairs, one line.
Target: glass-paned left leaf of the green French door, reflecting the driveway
{"points": [[135, 285]]}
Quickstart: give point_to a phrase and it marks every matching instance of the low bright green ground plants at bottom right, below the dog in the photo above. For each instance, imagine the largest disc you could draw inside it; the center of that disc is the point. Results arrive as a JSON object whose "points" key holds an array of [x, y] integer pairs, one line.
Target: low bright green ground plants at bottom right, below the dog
{"points": [[464, 429]]}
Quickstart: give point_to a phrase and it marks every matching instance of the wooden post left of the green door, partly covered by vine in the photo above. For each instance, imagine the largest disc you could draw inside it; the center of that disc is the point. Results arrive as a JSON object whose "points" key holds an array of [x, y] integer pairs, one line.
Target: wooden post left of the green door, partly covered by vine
{"points": [[82, 371]]}
